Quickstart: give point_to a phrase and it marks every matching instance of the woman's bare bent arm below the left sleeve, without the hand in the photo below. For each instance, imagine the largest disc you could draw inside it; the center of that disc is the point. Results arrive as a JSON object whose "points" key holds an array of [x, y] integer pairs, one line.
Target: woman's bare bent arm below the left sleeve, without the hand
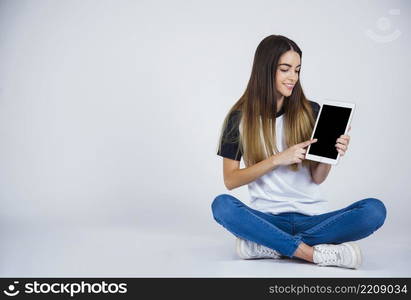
{"points": [[235, 177]]}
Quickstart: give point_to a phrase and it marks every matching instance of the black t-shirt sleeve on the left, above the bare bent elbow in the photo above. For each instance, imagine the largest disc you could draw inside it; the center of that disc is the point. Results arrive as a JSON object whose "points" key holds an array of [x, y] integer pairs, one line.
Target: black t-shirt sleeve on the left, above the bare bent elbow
{"points": [[230, 140]]}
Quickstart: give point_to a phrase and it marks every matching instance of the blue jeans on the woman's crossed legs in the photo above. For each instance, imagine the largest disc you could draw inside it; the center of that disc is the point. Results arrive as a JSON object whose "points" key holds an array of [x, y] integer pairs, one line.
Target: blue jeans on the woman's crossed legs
{"points": [[285, 231]]}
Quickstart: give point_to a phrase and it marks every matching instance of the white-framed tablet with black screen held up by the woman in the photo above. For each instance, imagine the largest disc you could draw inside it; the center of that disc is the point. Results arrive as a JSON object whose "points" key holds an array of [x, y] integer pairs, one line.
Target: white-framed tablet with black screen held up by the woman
{"points": [[333, 121]]}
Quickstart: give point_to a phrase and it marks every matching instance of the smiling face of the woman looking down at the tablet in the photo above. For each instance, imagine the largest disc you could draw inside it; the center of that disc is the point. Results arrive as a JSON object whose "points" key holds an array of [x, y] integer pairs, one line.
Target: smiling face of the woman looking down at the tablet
{"points": [[287, 73]]}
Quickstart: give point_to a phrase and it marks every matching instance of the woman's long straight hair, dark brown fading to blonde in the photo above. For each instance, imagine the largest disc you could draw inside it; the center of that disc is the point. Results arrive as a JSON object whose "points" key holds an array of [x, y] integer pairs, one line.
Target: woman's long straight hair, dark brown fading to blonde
{"points": [[258, 107]]}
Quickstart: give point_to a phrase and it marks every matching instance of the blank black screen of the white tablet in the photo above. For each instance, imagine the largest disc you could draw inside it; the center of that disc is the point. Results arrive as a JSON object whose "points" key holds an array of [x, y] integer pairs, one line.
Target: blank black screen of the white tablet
{"points": [[331, 125]]}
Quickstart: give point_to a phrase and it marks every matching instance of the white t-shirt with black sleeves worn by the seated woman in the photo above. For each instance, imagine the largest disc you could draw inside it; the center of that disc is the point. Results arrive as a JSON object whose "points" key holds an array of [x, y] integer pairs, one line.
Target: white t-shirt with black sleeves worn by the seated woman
{"points": [[282, 190]]}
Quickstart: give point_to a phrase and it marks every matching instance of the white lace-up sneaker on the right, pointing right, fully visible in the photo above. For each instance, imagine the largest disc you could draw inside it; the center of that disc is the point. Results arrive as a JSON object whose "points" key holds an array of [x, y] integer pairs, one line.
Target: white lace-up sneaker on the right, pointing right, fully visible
{"points": [[346, 255]]}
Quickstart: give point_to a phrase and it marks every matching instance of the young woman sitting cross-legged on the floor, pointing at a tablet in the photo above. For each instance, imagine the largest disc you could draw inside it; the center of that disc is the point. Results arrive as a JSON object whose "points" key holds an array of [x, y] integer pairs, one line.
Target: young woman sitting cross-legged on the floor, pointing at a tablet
{"points": [[269, 127]]}
